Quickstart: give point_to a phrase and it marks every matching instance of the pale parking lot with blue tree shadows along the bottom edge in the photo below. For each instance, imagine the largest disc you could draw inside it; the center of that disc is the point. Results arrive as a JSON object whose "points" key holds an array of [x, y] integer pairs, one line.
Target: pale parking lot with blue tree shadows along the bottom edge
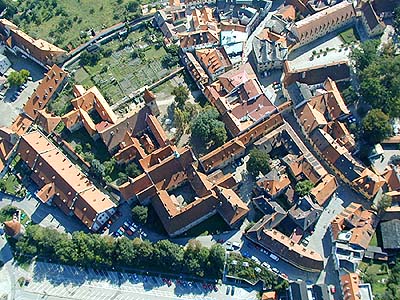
{"points": [[66, 282]]}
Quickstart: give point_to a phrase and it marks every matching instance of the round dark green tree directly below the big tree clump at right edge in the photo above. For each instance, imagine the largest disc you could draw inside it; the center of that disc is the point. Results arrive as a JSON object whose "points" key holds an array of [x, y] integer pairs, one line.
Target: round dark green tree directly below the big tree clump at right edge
{"points": [[376, 126]]}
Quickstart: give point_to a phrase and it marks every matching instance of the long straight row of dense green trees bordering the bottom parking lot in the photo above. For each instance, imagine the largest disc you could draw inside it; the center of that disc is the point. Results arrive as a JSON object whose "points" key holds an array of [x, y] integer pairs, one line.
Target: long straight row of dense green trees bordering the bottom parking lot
{"points": [[96, 251]]}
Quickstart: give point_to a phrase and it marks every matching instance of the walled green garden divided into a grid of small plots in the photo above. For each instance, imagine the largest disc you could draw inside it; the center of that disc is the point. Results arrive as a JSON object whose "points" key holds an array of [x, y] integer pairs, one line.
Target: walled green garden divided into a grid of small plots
{"points": [[120, 74]]}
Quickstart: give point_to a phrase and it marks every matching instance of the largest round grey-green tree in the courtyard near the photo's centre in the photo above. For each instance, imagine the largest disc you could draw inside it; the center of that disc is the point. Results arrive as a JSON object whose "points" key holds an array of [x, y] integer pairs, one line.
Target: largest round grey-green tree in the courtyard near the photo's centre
{"points": [[208, 129]]}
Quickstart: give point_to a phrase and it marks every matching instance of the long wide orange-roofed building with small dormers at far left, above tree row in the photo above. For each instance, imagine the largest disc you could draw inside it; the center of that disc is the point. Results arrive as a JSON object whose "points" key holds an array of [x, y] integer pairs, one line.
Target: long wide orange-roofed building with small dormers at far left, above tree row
{"points": [[73, 191]]}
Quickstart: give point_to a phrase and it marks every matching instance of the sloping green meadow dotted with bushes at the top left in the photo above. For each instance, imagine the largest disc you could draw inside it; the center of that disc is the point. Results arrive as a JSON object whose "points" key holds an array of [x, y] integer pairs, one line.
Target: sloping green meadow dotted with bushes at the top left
{"points": [[66, 23]]}
